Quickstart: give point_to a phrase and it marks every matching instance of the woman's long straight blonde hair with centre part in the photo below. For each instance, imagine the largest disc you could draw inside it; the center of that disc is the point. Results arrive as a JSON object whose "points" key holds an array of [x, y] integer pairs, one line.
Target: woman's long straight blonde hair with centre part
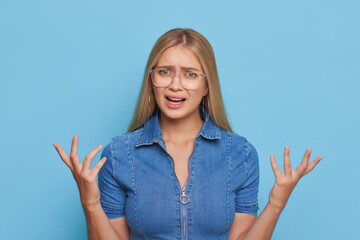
{"points": [[213, 103]]}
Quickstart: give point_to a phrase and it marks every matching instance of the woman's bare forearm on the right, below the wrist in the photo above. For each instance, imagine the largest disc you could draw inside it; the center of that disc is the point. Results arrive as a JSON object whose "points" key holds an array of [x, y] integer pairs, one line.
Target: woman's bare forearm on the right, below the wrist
{"points": [[264, 226]]}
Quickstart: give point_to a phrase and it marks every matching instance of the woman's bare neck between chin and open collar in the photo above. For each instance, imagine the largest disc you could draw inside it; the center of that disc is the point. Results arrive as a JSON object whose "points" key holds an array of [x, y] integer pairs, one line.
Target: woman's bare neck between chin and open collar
{"points": [[180, 130]]}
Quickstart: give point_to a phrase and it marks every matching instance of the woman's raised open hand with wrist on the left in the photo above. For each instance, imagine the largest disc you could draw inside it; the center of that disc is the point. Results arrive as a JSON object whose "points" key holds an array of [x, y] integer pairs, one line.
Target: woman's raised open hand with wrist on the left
{"points": [[84, 176]]}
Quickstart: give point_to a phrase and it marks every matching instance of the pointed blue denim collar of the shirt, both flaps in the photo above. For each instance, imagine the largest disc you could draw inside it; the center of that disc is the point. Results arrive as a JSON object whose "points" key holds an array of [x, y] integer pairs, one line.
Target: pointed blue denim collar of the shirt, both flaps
{"points": [[152, 132]]}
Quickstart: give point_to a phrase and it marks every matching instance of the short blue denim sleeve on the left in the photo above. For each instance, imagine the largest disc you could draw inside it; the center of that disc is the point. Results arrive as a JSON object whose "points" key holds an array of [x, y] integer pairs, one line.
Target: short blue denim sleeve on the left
{"points": [[112, 196]]}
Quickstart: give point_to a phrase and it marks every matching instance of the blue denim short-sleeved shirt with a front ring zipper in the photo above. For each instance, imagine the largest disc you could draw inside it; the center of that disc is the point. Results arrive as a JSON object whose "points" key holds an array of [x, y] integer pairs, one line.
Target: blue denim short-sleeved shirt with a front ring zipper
{"points": [[138, 181]]}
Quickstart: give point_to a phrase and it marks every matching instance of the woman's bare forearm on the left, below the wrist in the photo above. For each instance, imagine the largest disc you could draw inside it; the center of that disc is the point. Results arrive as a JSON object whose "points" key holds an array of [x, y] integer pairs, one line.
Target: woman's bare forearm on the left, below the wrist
{"points": [[98, 224]]}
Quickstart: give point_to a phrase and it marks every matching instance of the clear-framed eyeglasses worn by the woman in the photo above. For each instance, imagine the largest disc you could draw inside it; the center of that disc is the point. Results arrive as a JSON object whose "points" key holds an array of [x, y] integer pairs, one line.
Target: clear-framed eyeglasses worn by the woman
{"points": [[163, 77]]}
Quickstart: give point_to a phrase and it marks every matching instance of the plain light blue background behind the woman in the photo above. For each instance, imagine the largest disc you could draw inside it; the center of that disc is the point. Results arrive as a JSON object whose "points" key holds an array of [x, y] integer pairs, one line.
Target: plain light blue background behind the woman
{"points": [[289, 73]]}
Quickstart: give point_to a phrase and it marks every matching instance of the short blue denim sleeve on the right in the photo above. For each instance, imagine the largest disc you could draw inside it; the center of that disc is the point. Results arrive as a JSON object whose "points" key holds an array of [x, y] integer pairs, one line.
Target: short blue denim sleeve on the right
{"points": [[246, 200]]}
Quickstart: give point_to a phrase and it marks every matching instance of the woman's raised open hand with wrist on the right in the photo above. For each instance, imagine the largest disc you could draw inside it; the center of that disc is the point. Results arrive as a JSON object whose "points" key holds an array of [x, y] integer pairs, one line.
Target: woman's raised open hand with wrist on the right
{"points": [[285, 182]]}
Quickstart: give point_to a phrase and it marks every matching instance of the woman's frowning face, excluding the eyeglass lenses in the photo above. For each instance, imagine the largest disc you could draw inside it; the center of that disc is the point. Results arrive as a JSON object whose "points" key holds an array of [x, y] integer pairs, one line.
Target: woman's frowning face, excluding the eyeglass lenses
{"points": [[178, 58]]}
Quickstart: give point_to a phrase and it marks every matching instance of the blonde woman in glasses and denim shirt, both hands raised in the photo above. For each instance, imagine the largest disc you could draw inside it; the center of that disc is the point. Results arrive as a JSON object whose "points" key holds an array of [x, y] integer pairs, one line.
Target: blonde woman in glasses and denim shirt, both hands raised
{"points": [[180, 172]]}
